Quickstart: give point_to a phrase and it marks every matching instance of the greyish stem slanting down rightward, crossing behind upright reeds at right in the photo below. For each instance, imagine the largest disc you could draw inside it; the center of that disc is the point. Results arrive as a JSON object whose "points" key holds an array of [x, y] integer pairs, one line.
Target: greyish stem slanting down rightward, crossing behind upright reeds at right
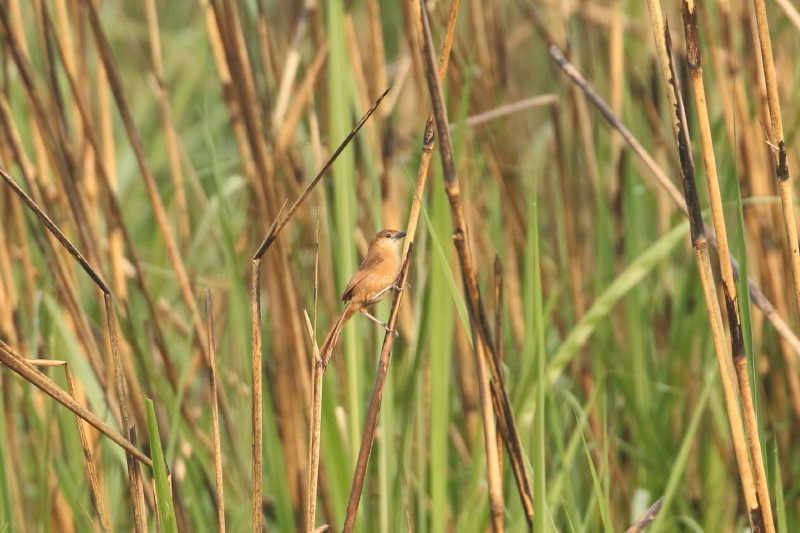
{"points": [[757, 297]]}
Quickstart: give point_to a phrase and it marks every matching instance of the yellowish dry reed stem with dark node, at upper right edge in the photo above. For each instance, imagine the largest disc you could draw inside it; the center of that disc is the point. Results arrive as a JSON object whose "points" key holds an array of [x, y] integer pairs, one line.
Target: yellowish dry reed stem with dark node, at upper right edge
{"points": [[779, 145]]}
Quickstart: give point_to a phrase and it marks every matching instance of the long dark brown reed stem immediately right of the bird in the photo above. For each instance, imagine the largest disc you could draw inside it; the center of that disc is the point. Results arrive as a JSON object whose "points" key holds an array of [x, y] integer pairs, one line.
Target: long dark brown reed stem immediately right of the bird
{"points": [[462, 244]]}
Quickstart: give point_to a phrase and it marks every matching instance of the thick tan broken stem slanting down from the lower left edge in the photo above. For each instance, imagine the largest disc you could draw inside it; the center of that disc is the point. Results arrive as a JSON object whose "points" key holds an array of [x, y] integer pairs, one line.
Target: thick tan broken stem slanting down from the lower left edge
{"points": [[19, 364]]}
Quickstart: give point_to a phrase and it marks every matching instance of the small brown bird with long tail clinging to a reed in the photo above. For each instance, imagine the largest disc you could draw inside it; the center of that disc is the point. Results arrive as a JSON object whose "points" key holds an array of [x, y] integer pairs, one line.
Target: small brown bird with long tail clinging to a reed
{"points": [[376, 276]]}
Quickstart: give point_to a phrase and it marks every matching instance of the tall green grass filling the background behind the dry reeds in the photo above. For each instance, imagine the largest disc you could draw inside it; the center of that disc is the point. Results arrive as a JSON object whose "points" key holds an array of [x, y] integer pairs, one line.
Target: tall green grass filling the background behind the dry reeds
{"points": [[651, 421]]}
